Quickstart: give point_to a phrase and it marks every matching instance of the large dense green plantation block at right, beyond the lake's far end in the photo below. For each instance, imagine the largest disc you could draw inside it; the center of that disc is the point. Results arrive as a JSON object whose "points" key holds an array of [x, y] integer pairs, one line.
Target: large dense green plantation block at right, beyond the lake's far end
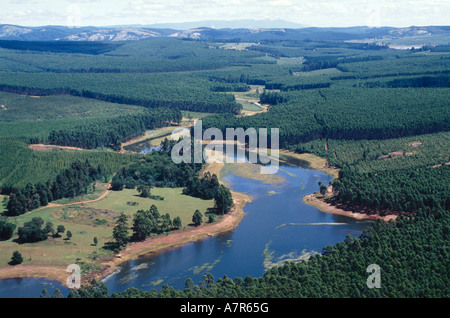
{"points": [[347, 114]]}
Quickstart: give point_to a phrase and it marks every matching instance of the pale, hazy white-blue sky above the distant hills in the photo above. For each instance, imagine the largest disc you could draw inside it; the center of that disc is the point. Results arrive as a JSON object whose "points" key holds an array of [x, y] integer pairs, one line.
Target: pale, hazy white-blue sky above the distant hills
{"points": [[317, 13]]}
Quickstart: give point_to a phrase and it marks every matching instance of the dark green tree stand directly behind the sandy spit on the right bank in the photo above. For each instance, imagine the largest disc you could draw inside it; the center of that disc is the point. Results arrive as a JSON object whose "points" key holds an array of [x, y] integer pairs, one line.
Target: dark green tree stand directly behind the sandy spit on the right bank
{"points": [[399, 190]]}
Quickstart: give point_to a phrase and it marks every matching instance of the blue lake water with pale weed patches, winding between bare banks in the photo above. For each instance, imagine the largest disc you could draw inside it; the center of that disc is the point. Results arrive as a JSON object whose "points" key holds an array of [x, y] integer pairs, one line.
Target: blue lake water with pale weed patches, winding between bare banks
{"points": [[278, 226]]}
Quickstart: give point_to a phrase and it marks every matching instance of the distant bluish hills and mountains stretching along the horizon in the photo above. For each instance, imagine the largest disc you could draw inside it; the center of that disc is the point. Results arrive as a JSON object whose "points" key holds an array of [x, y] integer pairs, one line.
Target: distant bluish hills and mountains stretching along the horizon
{"points": [[217, 30]]}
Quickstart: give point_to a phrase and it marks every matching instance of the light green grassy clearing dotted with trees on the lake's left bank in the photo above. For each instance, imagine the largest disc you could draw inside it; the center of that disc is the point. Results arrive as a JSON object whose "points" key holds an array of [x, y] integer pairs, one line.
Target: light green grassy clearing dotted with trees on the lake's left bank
{"points": [[86, 221]]}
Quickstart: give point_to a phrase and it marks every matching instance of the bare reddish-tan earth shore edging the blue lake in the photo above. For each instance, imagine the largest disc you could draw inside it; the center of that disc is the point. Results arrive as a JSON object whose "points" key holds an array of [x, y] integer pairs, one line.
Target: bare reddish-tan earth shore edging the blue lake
{"points": [[158, 244]]}
